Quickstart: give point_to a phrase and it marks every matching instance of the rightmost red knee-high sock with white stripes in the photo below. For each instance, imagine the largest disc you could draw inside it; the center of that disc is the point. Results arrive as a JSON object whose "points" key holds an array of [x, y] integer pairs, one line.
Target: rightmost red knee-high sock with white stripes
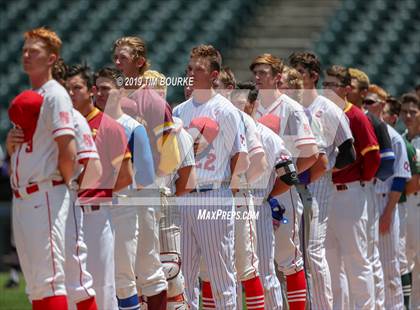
{"points": [[296, 290]]}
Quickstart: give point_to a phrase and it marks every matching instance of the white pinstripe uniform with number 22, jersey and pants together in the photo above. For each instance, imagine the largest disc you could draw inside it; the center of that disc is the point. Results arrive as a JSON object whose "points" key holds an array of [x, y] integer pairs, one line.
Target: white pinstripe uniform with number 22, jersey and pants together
{"points": [[212, 239]]}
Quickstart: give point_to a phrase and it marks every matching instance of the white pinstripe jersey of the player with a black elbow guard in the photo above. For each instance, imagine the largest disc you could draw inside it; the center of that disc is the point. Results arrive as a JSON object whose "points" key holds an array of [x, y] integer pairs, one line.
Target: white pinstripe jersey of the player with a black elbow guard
{"points": [[275, 151]]}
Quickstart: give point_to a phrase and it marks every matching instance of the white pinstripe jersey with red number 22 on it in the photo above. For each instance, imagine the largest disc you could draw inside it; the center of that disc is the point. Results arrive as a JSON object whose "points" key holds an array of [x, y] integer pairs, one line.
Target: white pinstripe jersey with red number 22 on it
{"points": [[213, 164]]}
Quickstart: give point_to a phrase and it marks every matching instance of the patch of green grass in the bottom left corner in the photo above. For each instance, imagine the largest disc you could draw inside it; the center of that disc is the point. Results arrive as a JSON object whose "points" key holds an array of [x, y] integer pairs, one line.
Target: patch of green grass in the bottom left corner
{"points": [[15, 298]]}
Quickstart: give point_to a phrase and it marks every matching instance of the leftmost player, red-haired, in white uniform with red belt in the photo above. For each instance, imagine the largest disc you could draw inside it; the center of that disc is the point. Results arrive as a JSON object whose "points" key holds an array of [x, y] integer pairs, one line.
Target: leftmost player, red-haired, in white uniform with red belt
{"points": [[41, 169]]}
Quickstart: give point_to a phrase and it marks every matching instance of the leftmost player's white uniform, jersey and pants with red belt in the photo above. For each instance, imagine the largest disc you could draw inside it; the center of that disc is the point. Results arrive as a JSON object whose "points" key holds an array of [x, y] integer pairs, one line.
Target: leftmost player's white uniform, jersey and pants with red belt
{"points": [[41, 202]]}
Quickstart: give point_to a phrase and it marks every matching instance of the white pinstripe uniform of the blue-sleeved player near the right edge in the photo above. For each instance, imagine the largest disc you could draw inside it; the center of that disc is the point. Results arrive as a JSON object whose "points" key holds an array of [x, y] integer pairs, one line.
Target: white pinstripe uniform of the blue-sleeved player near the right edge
{"points": [[389, 243]]}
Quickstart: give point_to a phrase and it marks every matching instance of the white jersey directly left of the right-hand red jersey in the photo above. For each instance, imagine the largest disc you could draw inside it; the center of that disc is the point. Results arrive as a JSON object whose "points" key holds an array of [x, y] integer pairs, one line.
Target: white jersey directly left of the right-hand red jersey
{"points": [[335, 126]]}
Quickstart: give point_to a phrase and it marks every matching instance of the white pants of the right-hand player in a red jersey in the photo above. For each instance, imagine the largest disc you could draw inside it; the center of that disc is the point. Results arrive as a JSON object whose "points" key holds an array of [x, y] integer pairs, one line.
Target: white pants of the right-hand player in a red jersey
{"points": [[346, 247]]}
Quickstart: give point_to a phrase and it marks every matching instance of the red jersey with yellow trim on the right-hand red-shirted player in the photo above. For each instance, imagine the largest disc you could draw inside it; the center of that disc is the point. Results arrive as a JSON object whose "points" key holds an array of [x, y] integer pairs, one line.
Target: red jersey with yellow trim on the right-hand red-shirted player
{"points": [[364, 141]]}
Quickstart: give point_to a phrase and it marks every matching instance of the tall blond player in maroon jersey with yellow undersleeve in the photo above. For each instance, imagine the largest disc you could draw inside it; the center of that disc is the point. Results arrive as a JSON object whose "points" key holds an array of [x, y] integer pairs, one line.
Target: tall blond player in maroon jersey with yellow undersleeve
{"points": [[150, 109]]}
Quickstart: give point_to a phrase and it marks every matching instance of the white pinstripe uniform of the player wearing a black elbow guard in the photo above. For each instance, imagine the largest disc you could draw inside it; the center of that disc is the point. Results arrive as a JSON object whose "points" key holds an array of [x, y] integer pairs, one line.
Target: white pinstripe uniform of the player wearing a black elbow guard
{"points": [[275, 151]]}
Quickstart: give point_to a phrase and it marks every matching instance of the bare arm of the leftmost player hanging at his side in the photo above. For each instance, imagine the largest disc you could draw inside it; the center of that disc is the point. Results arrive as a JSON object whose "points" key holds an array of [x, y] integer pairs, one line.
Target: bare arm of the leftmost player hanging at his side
{"points": [[66, 156]]}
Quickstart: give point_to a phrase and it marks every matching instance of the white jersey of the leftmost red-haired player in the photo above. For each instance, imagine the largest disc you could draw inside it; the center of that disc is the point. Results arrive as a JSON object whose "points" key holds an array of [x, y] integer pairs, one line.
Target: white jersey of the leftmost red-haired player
{"points": [[37, 161]]}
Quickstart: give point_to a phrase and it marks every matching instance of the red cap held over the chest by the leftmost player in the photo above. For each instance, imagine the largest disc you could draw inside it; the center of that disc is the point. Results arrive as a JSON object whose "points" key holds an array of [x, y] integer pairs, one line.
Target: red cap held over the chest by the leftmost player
{"points": [[24, 112]]}
